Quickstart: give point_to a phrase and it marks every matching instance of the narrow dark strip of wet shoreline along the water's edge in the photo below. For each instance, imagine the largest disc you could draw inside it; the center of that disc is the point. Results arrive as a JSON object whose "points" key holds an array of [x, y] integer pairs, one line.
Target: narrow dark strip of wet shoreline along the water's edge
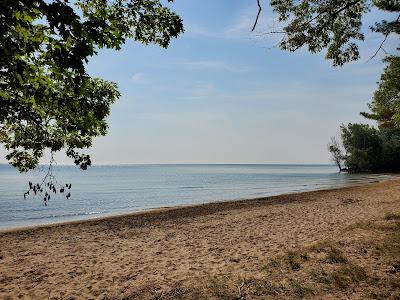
{"points": [[218, 204]]}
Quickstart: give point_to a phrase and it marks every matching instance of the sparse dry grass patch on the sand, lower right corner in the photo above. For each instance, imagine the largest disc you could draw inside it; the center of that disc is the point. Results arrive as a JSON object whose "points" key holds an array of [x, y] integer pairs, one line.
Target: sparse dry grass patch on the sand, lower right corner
{"points": [[329, 269]]}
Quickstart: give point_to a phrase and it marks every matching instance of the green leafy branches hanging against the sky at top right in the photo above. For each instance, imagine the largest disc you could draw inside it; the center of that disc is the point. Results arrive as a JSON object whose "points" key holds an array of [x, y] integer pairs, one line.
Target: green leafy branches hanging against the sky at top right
{"points": [[334, 25]]}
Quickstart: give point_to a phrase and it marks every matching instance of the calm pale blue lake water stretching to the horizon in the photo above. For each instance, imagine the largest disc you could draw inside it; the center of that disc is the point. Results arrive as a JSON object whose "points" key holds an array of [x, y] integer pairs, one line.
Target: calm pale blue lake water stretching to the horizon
{"points": [[107, 190]]}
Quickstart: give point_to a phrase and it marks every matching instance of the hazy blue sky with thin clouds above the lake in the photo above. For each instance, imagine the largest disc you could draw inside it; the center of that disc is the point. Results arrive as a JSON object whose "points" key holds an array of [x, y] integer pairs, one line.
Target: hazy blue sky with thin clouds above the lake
{"points": [[221, 94]]}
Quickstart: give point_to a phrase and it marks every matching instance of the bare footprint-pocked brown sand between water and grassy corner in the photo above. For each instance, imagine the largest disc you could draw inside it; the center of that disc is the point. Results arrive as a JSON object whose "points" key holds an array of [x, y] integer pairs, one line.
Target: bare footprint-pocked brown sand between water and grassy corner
{"points": [[147, 255]]}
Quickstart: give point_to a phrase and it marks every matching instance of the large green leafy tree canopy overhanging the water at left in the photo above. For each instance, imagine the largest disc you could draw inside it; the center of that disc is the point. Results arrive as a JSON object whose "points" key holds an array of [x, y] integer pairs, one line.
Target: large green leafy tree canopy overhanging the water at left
{"points": [[47, 98]]}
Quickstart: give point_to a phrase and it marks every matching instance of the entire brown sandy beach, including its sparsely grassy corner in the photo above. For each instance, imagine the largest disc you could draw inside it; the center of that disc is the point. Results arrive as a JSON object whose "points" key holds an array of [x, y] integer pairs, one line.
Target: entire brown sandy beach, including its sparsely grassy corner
{"points": [[229, 250]]}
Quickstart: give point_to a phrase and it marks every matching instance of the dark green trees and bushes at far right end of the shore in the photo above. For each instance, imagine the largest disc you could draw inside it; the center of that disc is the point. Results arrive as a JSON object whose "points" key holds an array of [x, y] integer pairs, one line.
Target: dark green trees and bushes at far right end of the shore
{"points": [[365, 148]]}
